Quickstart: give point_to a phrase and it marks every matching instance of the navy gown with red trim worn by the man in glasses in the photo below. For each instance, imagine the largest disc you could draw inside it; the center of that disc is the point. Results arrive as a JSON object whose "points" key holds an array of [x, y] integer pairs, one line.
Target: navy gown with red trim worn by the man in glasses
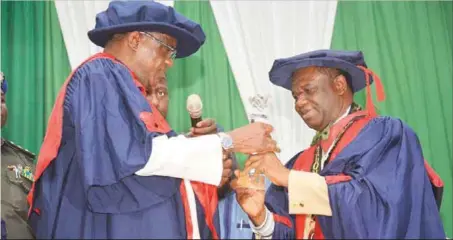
{"points": [[100, 133]]}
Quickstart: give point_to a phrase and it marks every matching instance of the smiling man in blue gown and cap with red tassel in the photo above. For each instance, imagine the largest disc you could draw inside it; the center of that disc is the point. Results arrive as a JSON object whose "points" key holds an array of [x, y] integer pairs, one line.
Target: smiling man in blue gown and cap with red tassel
{"points": [[364, 176]]}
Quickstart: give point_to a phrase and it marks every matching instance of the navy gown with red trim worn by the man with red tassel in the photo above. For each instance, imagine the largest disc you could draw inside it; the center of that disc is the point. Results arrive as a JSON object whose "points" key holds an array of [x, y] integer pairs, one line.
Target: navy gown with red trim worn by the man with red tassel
{"points": [[378, 188]]}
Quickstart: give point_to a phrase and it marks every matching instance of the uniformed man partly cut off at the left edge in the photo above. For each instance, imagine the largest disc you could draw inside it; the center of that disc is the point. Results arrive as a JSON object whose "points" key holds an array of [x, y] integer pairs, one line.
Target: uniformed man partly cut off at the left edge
{"points": [[17, 176]]}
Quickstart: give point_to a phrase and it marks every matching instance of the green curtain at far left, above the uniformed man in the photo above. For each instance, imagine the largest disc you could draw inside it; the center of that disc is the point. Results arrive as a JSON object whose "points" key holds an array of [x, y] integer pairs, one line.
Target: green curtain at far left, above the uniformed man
{"points": [[35, 62]]}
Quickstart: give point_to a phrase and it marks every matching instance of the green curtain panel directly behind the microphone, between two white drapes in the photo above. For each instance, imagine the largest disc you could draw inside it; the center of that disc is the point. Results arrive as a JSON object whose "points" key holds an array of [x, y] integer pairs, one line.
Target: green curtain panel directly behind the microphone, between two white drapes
{"points": [[206, 73]]}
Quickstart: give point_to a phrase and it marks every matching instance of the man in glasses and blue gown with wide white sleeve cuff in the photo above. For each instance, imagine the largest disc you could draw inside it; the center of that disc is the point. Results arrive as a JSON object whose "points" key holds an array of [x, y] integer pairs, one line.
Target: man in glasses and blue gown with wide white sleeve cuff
{"points": [[110, 166]]}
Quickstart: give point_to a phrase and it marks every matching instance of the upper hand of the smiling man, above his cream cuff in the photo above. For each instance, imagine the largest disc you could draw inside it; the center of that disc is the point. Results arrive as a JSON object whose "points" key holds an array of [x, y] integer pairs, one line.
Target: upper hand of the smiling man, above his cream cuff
{"points": [[269, 165]]}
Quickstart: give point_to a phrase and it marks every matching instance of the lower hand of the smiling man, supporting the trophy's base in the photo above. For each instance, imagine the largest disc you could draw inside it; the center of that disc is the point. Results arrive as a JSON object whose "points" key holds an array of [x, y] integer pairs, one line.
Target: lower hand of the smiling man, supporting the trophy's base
{"points": [[251, 201]]}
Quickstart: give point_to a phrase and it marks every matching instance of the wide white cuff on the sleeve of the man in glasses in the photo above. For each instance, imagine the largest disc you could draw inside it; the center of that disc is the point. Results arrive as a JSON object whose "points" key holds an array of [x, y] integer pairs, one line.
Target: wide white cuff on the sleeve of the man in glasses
{"points": [[196, 159]]}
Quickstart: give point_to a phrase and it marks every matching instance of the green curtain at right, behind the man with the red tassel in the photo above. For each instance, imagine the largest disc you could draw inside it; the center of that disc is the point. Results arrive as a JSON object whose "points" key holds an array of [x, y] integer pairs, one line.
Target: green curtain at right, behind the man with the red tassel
{"points": [[409, 45]]}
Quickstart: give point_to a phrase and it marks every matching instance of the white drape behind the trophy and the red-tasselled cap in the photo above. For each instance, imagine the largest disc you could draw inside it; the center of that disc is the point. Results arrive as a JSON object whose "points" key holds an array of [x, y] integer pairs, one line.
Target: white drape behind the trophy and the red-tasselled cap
{"points": [[255, 33]]}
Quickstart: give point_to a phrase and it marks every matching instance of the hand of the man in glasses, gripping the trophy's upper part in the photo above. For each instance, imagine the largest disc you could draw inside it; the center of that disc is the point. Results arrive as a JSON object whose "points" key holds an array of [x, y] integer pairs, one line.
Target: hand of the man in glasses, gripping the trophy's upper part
{"points": [[253, 138]]}
